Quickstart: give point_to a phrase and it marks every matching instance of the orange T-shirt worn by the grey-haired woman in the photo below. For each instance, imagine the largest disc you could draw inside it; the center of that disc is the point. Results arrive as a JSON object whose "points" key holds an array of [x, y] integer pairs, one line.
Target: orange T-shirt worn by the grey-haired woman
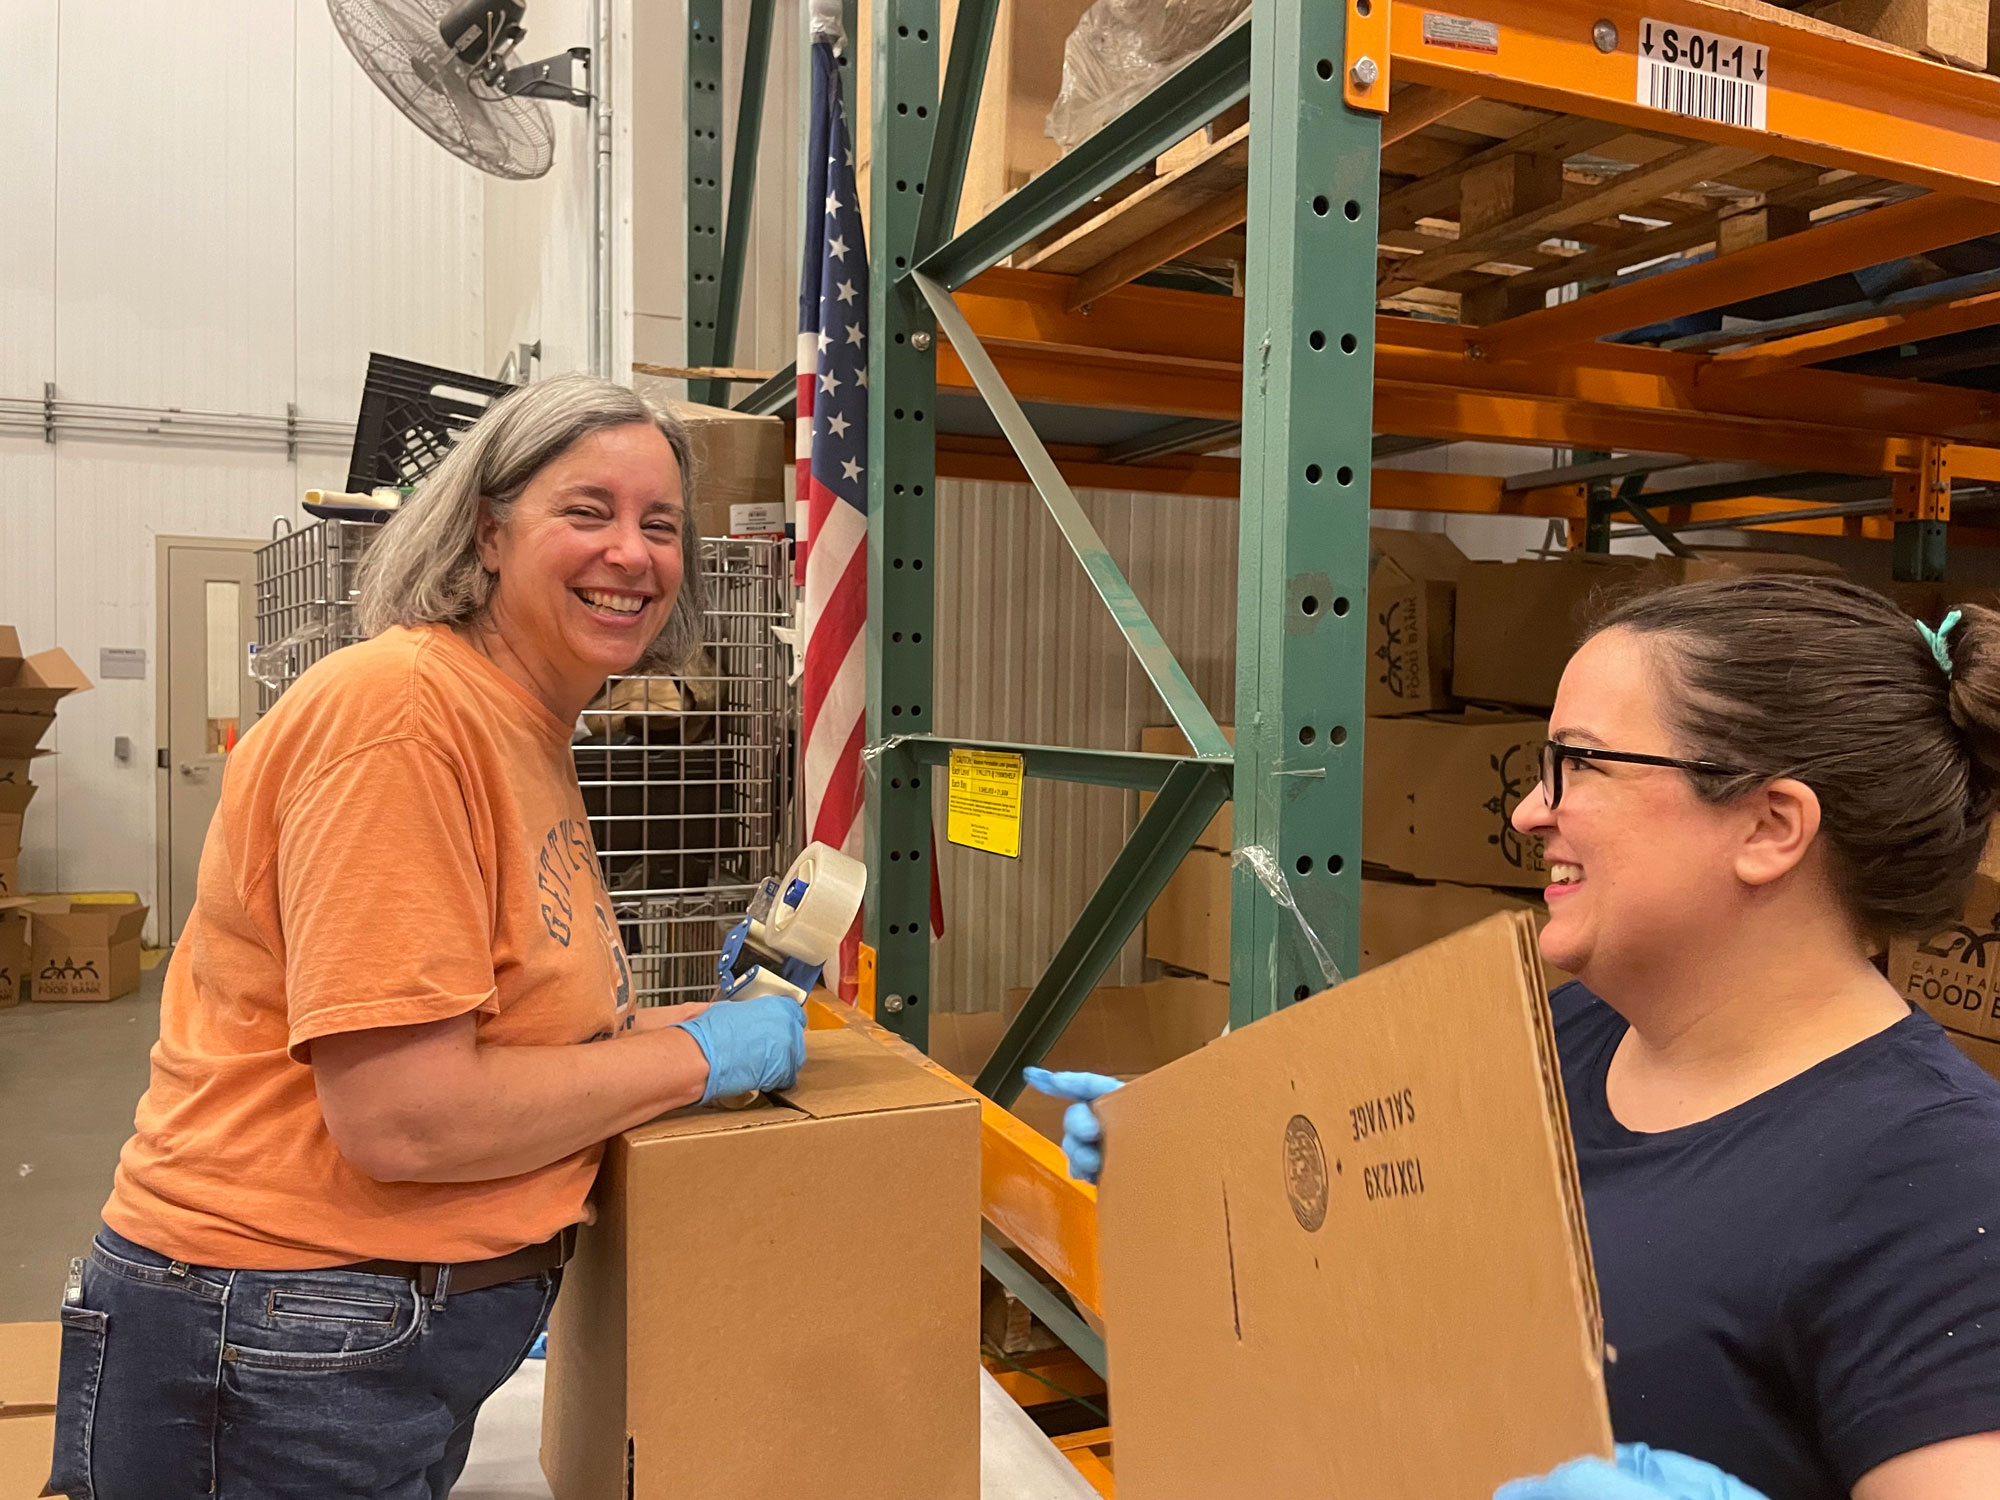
{"points": [[399, 841]]}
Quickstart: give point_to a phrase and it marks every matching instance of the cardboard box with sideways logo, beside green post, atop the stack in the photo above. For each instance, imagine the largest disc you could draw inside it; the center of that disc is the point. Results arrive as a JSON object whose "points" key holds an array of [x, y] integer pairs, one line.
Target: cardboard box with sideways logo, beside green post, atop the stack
{"points": [[1413, 593]]}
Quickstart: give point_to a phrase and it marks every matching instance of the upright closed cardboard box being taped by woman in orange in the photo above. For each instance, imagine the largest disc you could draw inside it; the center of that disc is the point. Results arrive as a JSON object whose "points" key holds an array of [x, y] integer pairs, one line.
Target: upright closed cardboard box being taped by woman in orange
{"points": [[781, 1301]]}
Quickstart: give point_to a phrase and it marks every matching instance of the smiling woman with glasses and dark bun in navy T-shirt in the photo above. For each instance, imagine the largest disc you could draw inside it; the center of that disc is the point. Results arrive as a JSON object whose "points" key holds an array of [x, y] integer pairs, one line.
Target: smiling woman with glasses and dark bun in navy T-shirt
{"points": [[1793, 1179]]}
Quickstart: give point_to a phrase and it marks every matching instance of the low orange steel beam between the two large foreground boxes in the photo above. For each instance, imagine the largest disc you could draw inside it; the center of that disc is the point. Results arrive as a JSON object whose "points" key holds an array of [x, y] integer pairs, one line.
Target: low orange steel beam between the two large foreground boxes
{"points": [[1027, 1191]]}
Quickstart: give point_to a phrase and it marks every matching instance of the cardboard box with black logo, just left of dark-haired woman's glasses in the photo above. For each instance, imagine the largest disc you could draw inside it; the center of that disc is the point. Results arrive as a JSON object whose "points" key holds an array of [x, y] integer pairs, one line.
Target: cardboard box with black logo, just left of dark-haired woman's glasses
{"points": [[1439, 797]]}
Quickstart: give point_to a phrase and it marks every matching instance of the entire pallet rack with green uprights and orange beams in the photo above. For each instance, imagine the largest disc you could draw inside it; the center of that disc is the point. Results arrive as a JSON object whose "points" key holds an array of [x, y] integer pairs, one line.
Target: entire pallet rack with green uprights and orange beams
{"points": [[1399, 233]]}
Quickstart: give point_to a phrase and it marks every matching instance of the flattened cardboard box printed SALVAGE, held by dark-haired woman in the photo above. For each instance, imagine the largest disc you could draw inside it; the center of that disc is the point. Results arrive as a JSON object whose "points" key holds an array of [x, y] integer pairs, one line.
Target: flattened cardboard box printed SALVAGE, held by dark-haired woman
{"points": [[1345, 1247]]}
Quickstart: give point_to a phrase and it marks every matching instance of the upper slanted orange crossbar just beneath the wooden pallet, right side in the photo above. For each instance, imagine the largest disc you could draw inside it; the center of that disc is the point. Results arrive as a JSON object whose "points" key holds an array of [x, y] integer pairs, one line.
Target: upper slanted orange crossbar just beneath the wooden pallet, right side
{"points": [[1835, 249]]}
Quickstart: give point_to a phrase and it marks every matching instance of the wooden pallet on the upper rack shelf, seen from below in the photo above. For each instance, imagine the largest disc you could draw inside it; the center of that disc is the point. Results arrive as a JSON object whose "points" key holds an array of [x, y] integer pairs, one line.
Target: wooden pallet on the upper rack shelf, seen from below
{"points": [[1485, 207]]}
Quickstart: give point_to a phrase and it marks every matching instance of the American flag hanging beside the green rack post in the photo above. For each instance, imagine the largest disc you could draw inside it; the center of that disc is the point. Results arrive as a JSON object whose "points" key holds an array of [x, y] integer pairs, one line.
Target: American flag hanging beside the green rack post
{"points": [[833, 485]]}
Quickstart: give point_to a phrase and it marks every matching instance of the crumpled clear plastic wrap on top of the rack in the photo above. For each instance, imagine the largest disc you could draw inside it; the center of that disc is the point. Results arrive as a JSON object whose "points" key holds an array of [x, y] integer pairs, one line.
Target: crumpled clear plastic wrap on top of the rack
{"points": [[1121, 51]]}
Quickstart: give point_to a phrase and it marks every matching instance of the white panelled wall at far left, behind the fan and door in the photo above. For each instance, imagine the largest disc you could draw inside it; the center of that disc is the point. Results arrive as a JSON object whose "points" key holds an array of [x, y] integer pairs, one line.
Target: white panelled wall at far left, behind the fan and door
{"points": [[209, 207]]}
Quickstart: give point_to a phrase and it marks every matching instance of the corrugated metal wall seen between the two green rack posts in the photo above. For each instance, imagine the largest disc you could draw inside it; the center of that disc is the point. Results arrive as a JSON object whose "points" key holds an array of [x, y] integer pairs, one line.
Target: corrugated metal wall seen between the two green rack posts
{"points": [[1029, 653]]}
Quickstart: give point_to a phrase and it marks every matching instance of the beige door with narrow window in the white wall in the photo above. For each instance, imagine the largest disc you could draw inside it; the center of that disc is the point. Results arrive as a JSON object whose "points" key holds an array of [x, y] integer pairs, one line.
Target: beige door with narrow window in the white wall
{"points": [[207, 699]]}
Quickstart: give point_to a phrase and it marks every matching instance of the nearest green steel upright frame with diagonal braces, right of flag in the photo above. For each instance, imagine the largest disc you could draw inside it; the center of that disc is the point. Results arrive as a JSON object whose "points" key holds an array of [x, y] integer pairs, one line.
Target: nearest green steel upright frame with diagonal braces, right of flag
{"points": [[1295, 769]]}
